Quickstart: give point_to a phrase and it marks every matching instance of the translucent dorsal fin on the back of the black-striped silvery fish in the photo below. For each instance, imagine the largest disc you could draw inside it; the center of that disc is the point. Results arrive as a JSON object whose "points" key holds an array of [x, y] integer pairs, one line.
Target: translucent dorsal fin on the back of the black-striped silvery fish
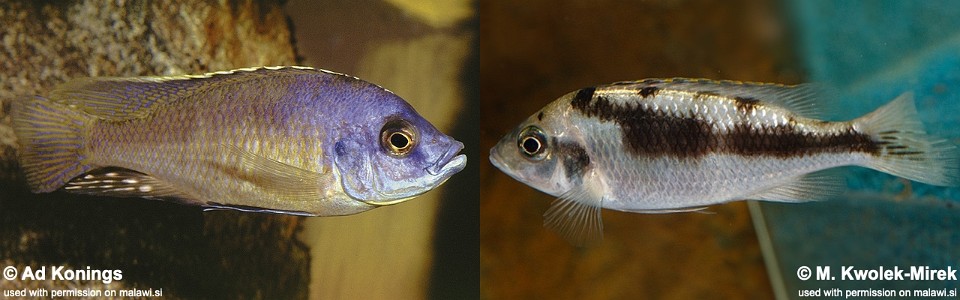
{"points": [[804, 100]]}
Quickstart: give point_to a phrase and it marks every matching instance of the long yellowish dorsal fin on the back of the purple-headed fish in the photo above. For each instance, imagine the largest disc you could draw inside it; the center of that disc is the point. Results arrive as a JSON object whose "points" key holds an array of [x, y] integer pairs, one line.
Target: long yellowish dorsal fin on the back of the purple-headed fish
{"points": [[122, 98]]}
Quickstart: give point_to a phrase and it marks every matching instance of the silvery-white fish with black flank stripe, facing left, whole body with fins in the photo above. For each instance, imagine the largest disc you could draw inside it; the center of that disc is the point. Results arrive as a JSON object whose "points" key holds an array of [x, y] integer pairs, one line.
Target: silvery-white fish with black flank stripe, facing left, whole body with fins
{"points": [[672, 145]]}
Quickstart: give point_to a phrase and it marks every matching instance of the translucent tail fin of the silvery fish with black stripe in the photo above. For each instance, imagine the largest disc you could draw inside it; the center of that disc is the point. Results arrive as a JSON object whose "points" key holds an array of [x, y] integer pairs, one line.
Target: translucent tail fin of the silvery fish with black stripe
{"points": [[904, 147]]}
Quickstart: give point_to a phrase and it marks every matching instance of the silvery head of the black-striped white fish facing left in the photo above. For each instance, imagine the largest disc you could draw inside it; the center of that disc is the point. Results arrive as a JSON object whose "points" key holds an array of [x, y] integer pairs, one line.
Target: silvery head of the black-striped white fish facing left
{"points": [[536, 152]]}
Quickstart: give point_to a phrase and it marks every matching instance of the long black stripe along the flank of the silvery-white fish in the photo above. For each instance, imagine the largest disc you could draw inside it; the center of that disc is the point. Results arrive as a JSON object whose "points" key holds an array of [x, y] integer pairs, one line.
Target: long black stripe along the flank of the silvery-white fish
{"points": [[647, 132]]}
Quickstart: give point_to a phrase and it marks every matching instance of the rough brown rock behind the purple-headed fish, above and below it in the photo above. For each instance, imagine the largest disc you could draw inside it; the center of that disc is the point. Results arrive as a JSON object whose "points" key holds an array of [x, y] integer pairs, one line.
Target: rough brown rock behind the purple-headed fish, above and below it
{"points": [[155, 244]]}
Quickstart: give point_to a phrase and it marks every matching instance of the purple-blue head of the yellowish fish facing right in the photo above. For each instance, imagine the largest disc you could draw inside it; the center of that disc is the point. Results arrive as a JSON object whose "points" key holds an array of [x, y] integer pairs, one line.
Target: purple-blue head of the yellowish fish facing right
{"points": [[395, 154]]}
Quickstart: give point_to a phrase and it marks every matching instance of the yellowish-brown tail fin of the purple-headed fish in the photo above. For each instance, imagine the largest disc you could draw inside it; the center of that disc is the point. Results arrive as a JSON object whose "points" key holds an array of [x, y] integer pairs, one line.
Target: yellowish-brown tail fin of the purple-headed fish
{"points": [[51, 142]]}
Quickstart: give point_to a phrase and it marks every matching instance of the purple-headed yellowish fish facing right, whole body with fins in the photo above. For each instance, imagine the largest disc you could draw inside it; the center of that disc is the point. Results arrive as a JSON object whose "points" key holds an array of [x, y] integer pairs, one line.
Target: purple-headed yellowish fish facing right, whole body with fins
{"points": [[287, 140]]}
